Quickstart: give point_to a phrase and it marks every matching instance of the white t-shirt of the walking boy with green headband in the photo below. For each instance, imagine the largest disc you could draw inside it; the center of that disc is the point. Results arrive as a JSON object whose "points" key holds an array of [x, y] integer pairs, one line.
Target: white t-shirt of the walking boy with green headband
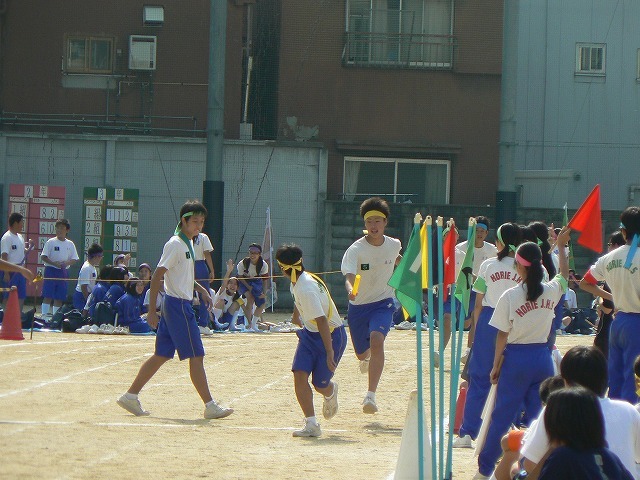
{"points": [[180, 275]]}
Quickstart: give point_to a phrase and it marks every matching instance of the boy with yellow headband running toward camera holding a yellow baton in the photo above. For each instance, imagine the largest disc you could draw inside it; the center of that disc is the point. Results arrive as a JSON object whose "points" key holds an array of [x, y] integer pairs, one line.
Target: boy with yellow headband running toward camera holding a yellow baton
{"points": [[370, 313]]}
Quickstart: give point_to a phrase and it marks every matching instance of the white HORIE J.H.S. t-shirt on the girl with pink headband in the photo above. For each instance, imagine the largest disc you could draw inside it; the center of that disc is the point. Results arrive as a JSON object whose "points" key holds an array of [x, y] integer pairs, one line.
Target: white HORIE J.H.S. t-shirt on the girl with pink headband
{"points": [[528, 322]]}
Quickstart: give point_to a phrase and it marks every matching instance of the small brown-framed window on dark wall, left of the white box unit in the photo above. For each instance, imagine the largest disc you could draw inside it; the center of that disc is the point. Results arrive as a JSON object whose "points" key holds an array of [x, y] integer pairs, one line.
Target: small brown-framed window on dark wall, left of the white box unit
{"points": [[87, 54]]}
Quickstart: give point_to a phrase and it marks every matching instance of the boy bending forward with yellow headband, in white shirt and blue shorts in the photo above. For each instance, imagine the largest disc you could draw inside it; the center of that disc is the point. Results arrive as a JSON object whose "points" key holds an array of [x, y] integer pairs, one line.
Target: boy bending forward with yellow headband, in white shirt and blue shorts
{"points": [[321, 341]]}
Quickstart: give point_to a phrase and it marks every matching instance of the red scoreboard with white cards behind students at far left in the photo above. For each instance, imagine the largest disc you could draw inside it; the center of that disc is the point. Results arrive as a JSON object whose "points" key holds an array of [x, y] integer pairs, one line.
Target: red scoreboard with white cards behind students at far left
{"points": [[41, 206]]}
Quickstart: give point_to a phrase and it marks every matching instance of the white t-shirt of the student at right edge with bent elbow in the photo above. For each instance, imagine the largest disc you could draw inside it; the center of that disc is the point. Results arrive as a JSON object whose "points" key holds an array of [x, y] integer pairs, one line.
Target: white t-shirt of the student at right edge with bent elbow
{"points": [[624, 282]]}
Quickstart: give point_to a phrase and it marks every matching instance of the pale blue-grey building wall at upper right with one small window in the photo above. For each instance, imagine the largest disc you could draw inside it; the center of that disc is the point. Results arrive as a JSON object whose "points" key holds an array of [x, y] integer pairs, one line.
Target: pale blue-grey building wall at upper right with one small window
{"points": [[587, 125]]}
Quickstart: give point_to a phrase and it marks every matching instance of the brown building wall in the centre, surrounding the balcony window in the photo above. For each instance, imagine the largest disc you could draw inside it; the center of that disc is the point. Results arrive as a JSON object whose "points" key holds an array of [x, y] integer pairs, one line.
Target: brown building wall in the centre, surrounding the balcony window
{"points": [[397, 112]]}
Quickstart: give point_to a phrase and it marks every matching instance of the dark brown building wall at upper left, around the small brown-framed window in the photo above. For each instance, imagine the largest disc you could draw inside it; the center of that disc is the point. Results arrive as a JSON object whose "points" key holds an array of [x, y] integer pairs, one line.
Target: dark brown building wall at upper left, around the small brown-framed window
{"points": [[33, 51]]}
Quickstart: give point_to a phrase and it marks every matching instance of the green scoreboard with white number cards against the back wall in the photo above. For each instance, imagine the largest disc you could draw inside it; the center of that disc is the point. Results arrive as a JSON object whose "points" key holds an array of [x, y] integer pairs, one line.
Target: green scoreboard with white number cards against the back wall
{"points": [[111, 219]]}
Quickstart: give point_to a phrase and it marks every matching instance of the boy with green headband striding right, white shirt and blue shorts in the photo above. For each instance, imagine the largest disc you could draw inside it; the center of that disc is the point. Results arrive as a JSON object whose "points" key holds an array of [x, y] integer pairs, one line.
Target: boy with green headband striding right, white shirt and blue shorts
{"points": [[177, 326]]}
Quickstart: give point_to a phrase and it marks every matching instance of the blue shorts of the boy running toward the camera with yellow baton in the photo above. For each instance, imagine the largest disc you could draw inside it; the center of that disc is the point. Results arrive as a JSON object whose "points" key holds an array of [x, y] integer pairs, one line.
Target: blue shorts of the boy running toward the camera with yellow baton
{"points": [[367, 318]]}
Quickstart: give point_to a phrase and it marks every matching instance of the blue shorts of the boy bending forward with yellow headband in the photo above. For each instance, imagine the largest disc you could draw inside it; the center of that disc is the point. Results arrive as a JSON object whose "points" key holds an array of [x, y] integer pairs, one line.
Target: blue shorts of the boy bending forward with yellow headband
{"points": [[311, 355]]}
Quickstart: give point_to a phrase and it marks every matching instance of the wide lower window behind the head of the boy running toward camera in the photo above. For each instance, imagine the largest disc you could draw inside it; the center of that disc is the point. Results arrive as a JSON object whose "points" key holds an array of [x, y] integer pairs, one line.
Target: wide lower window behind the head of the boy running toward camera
{"points": [[399, 179]]}
